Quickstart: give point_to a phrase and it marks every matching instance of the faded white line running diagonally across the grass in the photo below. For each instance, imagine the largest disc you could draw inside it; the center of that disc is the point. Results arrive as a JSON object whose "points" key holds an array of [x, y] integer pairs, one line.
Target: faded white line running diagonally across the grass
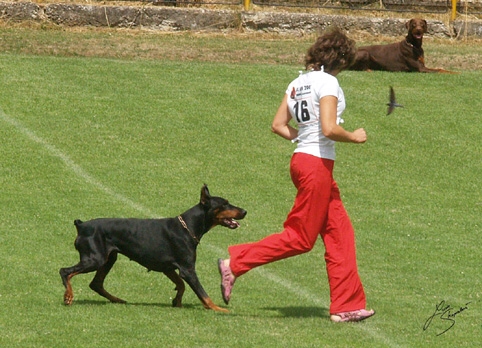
{"points": [[293, 288]]}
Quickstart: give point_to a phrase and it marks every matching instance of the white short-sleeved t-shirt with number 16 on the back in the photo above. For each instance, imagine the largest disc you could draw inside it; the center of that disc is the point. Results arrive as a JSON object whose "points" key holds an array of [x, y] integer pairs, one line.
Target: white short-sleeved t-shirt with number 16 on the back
{"points": [[304, 94]]}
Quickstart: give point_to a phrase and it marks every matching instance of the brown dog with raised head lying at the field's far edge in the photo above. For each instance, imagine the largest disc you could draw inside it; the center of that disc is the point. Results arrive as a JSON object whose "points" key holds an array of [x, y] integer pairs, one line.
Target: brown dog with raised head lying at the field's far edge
{"points": [[405, 56]]}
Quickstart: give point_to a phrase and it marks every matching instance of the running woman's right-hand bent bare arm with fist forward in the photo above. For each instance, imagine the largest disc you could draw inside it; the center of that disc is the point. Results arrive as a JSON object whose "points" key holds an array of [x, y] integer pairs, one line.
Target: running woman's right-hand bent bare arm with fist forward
{"points": [[331, 130]]}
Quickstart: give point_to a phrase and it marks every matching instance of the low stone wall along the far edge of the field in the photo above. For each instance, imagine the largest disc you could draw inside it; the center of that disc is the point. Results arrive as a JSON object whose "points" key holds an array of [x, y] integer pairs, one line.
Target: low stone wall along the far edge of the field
{"points": [[178, 19]]}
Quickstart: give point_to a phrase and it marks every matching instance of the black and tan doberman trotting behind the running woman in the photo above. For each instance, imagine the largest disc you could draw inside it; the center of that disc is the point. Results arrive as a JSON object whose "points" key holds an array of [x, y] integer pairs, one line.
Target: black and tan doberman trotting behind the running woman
{"points": [[162, 245]]}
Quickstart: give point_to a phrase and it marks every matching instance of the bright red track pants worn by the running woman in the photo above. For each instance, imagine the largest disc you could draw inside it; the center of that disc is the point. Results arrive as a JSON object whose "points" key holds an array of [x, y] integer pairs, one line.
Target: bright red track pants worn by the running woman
{"points": [[317, 210]]}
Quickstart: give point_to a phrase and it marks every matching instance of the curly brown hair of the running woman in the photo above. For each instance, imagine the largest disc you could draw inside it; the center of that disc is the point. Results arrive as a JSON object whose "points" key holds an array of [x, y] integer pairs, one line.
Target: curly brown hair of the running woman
{"points": [[333, 50]]}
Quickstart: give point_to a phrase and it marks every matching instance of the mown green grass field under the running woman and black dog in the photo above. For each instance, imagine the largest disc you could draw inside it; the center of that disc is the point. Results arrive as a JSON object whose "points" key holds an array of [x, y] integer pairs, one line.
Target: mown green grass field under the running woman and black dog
{"points": [[86, 137]]}
